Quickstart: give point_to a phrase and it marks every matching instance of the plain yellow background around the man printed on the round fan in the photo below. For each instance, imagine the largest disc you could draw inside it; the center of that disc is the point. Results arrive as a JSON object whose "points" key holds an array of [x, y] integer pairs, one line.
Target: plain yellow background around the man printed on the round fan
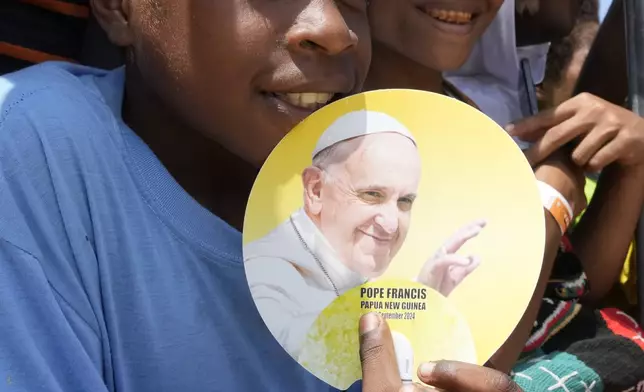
{"points": [[471, 170]]}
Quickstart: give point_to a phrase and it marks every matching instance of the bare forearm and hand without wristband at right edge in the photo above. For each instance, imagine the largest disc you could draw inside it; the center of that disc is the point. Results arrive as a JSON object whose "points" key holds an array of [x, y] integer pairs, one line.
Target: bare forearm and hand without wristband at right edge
{"points": [[599, 136]]}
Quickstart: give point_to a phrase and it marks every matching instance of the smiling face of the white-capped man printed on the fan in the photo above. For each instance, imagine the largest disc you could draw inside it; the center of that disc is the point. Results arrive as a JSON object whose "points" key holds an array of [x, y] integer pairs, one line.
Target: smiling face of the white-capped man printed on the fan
{"points": [[362, 204]]}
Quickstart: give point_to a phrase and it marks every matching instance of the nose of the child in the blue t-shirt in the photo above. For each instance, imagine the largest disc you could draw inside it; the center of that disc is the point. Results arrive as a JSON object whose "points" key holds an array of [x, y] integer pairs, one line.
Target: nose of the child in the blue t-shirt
{"points": [[322, 28]]}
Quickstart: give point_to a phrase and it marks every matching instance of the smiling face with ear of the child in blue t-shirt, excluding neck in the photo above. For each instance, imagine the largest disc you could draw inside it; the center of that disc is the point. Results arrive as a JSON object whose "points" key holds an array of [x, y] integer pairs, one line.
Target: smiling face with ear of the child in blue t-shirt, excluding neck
{"points": [[242, 72]]}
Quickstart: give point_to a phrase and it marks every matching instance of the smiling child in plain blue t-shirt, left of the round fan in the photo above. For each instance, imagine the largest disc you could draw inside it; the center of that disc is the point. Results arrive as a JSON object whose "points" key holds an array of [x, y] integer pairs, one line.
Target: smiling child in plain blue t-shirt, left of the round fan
{"points": [[120, 255]]}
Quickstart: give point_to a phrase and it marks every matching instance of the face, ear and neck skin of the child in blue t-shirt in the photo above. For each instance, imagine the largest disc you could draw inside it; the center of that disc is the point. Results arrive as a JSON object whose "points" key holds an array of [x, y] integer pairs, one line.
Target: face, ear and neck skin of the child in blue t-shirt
{"points": [[218, 105]]}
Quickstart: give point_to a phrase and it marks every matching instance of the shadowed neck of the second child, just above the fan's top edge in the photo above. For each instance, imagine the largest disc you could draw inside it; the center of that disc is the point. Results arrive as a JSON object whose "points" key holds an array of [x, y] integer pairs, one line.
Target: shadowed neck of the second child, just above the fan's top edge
{"points": [[390, 69]]}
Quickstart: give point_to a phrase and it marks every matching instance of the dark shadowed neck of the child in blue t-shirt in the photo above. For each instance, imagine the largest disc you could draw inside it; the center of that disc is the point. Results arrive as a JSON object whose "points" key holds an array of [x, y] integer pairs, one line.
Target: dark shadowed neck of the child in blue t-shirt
{"points": [[200, 165]]}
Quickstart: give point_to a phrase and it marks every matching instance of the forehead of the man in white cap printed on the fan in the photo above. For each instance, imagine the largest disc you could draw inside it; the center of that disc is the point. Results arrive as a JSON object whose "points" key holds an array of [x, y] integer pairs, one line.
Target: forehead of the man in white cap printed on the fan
{"points": [[387, 160]]}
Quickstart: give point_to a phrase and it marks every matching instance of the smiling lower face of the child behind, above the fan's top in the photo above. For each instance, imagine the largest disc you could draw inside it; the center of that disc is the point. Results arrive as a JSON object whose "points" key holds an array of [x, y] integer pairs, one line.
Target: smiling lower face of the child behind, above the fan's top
{"points": [[438, 34]]}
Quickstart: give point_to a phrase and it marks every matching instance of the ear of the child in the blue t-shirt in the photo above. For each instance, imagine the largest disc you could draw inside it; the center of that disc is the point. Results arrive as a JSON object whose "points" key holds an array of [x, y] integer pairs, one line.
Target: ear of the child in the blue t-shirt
{"points": [[113, 16]]}
